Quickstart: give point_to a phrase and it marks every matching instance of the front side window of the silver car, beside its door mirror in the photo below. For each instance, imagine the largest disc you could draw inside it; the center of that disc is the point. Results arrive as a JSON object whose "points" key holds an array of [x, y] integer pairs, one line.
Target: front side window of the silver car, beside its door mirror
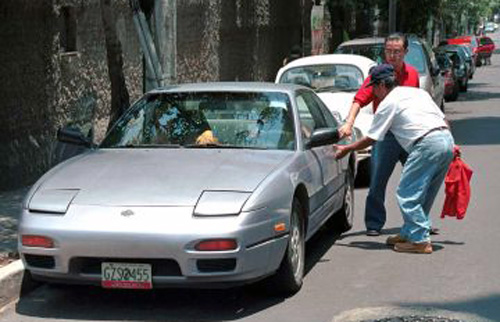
{"points": [[310, 115]]}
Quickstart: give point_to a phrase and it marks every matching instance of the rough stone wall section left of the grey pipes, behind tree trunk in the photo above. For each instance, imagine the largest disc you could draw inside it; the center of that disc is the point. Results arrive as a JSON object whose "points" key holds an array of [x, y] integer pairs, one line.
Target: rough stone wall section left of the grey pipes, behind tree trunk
{"points": [[45, 87]]}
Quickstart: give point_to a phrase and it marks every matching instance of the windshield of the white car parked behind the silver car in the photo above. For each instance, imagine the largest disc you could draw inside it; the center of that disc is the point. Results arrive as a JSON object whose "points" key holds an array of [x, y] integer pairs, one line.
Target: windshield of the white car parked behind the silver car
{"points": [[328, 77]]}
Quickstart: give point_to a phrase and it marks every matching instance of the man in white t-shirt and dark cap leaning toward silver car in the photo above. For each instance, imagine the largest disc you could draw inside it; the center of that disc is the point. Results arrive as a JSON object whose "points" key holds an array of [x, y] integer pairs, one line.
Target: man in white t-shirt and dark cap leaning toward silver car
{"points": [[420, 128]]}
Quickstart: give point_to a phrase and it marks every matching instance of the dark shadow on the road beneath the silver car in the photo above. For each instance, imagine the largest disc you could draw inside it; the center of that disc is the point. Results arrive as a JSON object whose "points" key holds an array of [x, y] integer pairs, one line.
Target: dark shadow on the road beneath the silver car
{"points": [[94, 303]]}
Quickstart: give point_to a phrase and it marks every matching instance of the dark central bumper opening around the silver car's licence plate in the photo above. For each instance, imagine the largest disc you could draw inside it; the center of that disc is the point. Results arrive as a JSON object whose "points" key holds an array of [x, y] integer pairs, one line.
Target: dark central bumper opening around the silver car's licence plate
{"points": [[92, 265]]}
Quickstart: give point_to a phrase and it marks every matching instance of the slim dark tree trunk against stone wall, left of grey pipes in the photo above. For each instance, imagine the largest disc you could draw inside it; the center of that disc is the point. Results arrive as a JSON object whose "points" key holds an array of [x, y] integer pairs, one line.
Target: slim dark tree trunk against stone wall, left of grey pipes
{"points": [[119, 93]]}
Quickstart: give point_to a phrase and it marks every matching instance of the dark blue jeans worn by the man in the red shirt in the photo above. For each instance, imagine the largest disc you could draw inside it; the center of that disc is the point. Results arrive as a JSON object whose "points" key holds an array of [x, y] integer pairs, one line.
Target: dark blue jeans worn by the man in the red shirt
{"points": [[385, 155]]}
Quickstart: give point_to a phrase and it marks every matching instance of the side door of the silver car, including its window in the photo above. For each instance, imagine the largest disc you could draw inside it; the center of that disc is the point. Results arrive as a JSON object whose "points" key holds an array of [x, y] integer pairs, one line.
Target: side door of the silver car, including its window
{"points": [[312, 117]]}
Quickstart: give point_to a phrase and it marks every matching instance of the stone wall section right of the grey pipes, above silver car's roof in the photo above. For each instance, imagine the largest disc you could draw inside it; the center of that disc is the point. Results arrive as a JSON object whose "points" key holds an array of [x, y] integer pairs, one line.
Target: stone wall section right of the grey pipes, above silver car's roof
{"points": [[243, 40]]}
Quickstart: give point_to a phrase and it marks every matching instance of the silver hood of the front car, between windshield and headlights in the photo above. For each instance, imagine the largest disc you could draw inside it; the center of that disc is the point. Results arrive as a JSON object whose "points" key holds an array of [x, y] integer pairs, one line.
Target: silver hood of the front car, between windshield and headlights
{"points": [[159, 177]]}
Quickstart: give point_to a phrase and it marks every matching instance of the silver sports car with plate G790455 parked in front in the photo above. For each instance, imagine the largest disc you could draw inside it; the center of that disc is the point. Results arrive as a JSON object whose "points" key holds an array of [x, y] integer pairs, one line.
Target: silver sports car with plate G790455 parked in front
{"points": [[196, 185]]}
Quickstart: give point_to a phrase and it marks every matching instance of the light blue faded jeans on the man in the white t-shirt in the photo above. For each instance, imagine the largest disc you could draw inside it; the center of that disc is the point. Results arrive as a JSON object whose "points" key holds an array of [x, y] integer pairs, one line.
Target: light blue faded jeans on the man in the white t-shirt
{"points": [[423, 174]]}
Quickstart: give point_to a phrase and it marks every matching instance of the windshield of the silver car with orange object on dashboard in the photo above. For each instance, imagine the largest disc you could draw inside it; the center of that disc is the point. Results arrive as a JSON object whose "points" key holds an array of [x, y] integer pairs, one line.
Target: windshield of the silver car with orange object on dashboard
{"points": [[260, 120]]}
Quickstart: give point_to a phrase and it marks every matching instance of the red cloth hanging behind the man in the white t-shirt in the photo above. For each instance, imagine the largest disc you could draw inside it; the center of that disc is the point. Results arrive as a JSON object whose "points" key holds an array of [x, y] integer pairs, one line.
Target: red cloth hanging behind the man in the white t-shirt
{"points": [[457, 187]]}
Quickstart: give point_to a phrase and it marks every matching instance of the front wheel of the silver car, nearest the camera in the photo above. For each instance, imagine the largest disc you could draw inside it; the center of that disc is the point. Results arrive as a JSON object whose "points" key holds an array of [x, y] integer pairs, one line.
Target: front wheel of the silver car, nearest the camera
{"points": [[288, 279]]}
